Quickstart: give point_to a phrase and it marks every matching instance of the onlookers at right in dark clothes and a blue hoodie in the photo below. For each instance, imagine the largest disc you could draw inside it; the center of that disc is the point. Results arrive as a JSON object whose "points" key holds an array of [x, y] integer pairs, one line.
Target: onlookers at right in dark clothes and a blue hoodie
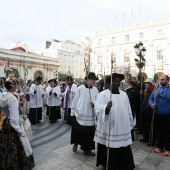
{"points": [[150, 105]]}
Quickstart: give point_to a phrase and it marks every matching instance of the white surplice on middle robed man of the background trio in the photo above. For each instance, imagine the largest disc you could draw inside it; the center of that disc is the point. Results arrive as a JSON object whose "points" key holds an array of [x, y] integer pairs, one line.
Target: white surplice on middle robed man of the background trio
{"points": [[54, 100]]}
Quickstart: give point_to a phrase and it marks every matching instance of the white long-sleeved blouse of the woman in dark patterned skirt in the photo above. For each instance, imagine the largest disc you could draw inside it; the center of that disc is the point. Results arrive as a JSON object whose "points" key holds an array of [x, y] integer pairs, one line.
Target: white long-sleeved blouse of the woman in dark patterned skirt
{"points": [[9, 105]]}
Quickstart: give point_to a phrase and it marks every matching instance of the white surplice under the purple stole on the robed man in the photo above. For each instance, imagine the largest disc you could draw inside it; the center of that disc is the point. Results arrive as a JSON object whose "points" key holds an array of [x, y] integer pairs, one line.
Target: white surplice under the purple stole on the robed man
{"points": [[71, 95]]}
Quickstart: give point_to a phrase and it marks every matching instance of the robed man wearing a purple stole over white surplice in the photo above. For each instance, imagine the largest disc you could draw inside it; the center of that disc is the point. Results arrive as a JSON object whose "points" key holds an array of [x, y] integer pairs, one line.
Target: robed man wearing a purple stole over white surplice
{"points": [[68, 99]]}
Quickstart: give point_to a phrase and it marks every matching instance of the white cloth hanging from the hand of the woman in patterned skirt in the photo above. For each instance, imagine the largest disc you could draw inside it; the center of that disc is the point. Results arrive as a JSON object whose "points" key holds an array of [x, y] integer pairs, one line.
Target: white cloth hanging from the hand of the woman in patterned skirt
{"points": [[26, 145]]}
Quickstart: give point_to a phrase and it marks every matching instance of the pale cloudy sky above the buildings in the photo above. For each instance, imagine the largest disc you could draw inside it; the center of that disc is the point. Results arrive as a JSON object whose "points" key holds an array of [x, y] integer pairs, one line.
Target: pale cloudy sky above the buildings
{"points": [[33, 21]]}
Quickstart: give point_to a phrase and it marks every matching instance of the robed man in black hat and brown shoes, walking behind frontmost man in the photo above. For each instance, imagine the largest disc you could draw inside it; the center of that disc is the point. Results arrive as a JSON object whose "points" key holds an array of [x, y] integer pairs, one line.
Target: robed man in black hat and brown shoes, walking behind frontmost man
{"points": [[83, 128]]}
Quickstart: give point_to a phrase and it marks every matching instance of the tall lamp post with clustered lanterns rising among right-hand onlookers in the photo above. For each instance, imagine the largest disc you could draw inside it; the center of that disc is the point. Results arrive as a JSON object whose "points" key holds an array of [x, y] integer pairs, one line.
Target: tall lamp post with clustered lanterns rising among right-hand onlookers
{"points": [[140, 63]]}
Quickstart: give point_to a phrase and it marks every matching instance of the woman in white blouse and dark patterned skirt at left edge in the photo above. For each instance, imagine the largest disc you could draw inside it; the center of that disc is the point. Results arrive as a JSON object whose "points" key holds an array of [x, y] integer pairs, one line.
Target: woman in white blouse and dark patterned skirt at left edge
{"points": [[12, 154]]}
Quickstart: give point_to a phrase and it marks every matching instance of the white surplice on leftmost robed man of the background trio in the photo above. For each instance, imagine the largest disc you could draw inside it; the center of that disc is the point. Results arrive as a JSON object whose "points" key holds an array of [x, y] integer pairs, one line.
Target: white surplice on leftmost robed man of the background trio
{"points": [[36, 99]]}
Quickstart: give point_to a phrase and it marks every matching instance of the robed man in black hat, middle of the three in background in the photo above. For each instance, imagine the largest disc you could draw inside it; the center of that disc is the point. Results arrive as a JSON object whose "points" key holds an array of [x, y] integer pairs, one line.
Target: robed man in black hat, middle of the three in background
{"points": [[54, 101]]}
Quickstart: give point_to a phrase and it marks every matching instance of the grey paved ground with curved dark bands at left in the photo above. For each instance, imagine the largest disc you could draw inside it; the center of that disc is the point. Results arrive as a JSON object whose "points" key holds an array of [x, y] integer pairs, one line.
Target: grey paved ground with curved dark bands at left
{"points": [[52, 151]]}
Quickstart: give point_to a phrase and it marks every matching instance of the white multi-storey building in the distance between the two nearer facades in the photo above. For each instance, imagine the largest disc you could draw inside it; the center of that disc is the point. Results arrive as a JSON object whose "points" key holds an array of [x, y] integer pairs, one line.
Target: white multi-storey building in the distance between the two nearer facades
{"points": [[69, 54]]}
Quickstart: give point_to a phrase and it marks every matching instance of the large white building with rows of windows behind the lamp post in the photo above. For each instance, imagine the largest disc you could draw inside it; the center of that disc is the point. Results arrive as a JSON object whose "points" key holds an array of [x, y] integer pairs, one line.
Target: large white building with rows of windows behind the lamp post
{"points": [[155, 36]]}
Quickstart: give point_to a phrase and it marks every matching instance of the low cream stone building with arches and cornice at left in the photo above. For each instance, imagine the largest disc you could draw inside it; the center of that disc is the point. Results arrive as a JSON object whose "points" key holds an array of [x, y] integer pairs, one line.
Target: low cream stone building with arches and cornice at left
{"points": [[18, 60]]}
